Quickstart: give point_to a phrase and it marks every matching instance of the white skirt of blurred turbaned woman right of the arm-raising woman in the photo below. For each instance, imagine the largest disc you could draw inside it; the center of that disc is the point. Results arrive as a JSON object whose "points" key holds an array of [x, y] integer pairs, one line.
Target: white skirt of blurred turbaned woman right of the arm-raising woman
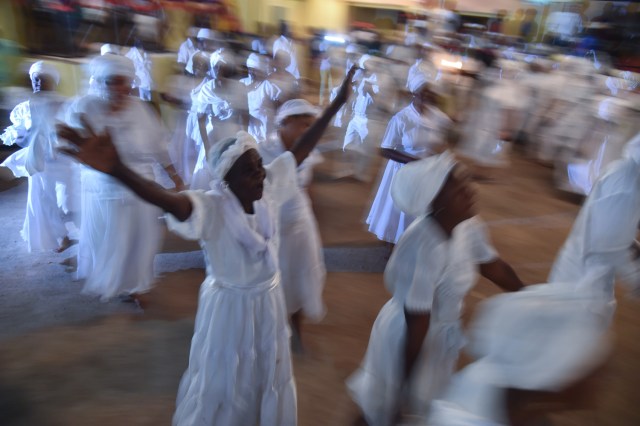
{"points": [[377, 386]]}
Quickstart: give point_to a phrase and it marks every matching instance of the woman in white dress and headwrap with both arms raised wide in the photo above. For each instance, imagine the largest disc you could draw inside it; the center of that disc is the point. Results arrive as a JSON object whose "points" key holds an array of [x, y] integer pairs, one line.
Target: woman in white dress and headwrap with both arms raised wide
{"points": [[239, 365]]}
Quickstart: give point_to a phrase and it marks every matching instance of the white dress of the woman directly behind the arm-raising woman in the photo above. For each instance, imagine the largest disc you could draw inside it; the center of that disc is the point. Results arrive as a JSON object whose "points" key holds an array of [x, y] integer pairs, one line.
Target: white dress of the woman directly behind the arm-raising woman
{"points": [[300, 254]]}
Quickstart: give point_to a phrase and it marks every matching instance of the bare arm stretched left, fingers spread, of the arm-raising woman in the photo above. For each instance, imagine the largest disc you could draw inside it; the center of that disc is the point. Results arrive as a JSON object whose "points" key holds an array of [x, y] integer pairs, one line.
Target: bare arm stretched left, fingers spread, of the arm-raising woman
{"points": [[98, 152]]}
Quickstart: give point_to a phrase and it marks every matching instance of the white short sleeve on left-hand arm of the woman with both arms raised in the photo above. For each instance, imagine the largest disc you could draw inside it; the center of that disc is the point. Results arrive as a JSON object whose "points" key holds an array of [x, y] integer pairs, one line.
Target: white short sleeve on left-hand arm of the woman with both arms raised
{"points": [[199, 224]]}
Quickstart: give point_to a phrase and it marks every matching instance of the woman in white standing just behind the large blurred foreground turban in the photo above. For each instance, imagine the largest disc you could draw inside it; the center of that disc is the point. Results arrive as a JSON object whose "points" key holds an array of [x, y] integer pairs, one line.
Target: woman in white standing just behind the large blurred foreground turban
{"points": [[417, 131]]}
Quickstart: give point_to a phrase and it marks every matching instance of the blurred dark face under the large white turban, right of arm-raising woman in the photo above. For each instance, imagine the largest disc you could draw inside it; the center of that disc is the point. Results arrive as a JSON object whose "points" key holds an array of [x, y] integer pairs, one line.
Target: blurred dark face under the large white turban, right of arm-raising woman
{"points": [[457, 197]]}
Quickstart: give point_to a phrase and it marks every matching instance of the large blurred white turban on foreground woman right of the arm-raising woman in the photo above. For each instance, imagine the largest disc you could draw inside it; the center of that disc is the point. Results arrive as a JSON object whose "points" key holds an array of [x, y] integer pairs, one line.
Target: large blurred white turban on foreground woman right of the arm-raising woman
{"points": [[417, 184]]}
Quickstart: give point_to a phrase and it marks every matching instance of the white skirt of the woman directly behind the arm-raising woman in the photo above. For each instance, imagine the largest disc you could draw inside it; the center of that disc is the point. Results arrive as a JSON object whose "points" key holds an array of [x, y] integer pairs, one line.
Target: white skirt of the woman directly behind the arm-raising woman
{"points": [[301, 260]]}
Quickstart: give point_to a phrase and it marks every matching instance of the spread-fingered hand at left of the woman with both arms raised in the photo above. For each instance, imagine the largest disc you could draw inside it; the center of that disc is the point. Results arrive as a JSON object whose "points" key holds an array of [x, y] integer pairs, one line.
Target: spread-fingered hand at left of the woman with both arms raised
{"points": [[94, 150]]}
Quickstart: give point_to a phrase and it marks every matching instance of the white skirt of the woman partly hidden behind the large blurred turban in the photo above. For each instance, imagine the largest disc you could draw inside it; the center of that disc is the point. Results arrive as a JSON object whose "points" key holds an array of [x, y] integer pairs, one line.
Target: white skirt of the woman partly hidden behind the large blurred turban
{"points": [[385, 220]]}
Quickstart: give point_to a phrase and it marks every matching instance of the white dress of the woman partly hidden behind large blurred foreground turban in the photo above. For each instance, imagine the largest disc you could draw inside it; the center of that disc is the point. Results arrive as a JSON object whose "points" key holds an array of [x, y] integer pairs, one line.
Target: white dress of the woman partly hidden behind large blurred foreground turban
{"points": [[413, 134]]}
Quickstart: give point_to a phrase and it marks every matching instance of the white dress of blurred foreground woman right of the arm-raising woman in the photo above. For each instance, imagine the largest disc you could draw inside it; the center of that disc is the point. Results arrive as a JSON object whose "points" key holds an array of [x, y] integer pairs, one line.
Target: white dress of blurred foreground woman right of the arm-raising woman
{"points": [[427, 273]]}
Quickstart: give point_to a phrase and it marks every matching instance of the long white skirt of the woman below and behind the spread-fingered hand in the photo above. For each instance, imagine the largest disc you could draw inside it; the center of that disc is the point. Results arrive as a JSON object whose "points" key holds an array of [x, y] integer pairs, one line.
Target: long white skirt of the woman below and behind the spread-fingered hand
{"points": [[119, 238]]}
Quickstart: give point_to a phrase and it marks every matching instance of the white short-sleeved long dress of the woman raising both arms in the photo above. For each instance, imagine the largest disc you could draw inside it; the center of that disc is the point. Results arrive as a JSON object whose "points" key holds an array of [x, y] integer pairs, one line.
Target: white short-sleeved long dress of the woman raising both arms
{"points": [[240, 363]]}
